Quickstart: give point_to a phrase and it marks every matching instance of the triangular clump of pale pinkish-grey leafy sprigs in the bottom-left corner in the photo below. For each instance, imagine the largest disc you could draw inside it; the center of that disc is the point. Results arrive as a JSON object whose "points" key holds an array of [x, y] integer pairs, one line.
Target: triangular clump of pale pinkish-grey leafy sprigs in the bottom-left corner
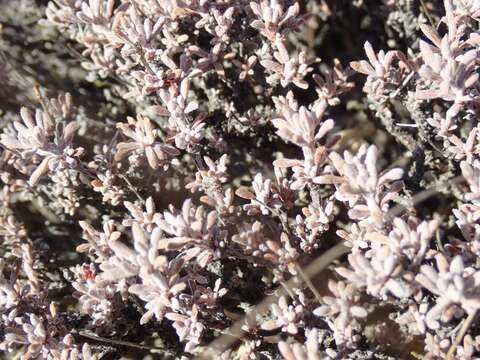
{"points": [[30, 320]]}
